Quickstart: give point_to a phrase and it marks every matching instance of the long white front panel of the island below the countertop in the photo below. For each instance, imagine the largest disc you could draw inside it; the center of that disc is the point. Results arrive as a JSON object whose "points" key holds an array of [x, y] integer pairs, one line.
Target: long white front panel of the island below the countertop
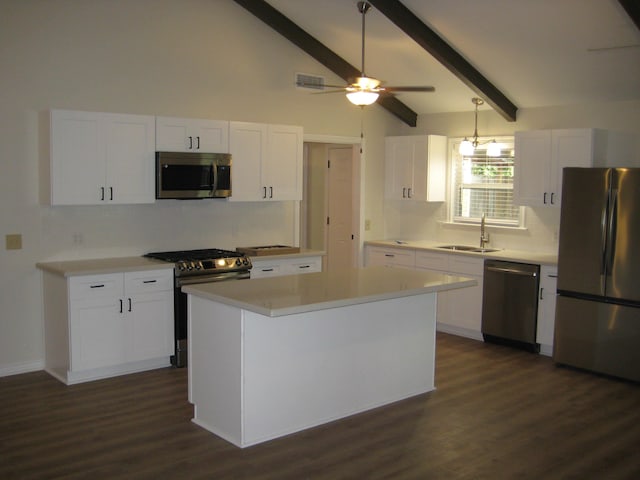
{"points": [[304, 370]]}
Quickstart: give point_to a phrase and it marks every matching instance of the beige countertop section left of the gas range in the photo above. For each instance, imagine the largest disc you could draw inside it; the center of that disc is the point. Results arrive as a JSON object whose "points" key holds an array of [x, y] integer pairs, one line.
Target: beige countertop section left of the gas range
{"points": [[96, 266]]}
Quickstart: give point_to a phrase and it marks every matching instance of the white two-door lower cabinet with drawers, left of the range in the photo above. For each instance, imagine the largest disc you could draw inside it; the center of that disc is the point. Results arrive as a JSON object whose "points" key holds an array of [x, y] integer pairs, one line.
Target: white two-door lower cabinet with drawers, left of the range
{"points": [[98, 326]]}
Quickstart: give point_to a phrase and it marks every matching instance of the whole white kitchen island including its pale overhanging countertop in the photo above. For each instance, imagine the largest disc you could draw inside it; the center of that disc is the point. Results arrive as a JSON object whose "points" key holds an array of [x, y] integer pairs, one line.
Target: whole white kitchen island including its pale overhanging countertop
{"points": [[273, 356]]}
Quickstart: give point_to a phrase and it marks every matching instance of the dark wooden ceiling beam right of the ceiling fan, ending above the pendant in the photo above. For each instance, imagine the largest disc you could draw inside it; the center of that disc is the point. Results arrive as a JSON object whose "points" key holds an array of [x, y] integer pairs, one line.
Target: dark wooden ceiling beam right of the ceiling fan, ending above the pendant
{"points": [[395, 11]]}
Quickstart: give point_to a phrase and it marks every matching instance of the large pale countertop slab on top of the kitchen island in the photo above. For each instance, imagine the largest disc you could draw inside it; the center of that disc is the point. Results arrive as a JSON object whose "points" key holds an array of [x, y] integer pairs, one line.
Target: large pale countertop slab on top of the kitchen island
{"points": [[286, 295]]}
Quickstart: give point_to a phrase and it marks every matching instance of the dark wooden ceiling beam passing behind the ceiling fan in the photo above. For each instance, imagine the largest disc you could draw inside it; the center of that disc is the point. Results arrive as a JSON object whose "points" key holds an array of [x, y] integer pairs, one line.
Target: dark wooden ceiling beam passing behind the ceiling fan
{"points": [[321, 53]]}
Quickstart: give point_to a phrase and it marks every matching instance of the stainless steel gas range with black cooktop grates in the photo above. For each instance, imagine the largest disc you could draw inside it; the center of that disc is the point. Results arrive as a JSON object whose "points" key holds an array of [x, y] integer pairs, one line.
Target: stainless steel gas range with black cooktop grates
{"points": [[198, 266]]}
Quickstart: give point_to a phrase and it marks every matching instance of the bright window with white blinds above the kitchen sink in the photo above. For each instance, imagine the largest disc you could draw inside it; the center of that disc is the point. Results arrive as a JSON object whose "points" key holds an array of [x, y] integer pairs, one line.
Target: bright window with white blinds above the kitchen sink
{"points": [[482, 184]]}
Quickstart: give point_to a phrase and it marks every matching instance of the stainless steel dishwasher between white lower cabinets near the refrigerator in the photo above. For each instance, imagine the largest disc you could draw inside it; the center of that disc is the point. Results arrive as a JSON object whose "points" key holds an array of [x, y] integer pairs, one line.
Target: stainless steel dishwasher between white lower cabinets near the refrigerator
{"points": [[510, 304]]}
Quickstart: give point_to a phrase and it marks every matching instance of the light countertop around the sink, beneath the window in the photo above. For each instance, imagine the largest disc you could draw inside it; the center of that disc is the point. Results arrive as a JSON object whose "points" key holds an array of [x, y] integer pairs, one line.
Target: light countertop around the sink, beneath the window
{"points": [[502, 254]]}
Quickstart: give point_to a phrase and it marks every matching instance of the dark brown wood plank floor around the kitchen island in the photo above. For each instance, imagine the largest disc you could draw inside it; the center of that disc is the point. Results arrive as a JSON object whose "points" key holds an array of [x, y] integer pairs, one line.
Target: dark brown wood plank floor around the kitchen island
{"points": [[497, 413]]}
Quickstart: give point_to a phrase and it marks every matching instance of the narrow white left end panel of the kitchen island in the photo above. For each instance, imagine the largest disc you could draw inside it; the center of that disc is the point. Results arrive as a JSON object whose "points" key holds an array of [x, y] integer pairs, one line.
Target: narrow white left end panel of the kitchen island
{"points": [[215, 368]]}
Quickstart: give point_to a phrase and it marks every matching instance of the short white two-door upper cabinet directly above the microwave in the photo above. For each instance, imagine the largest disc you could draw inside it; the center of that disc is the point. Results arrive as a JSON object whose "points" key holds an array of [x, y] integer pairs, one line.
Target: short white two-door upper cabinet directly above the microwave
{"points": [[192, 135]]}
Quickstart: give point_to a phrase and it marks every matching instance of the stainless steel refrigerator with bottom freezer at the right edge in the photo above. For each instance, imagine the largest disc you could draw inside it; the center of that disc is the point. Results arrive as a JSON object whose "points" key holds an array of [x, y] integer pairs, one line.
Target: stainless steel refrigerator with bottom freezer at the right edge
{"points": [[597, 324]]}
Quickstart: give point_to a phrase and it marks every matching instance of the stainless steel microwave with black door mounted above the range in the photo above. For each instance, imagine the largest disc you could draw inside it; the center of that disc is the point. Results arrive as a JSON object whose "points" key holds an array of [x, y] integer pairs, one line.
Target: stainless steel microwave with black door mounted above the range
{"points": [[185, 175]]}
